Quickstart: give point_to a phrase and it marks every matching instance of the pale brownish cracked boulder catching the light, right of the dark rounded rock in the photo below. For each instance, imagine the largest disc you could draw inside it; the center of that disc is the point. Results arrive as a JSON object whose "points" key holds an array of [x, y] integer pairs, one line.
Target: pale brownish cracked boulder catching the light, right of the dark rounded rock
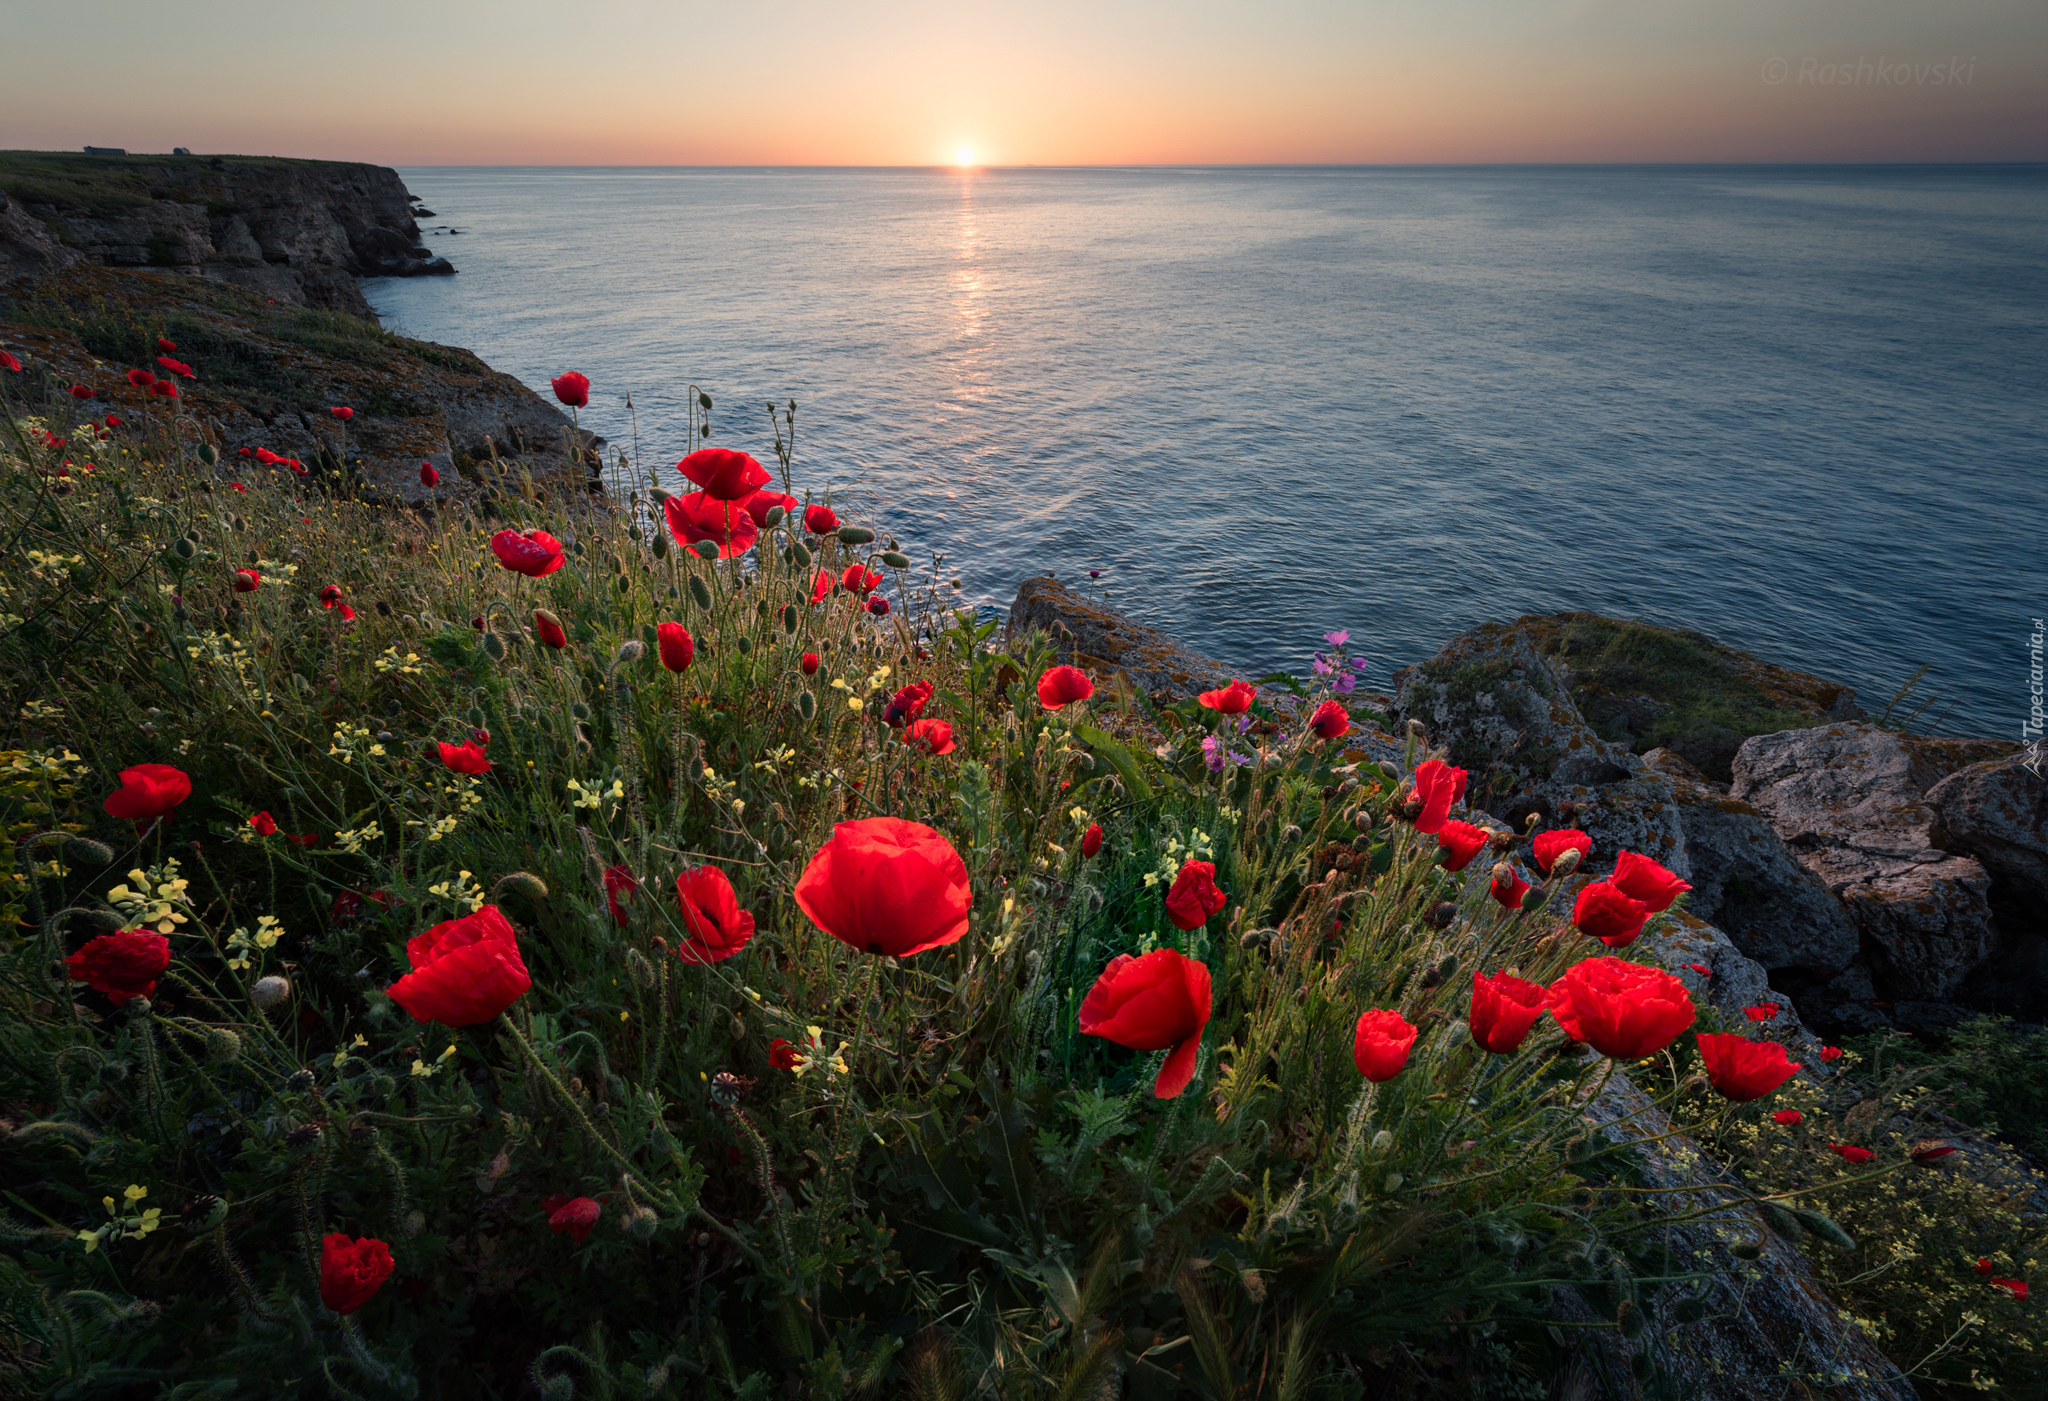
{"points": [[1850, 804]]}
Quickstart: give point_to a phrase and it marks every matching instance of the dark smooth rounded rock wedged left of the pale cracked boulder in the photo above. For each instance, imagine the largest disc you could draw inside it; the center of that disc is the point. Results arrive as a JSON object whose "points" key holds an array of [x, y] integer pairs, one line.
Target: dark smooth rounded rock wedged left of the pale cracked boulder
{"points": [[1746, 882]]}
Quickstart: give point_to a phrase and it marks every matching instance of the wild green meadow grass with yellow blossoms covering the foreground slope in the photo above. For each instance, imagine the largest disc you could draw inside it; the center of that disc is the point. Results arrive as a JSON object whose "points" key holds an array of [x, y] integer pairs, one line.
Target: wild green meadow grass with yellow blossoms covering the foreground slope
{"points": [[974, 1199]]}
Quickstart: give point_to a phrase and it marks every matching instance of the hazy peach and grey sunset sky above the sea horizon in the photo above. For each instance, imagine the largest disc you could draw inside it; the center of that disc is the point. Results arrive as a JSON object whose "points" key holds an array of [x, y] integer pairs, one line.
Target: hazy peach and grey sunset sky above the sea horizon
{"points": [[1054, 83]]}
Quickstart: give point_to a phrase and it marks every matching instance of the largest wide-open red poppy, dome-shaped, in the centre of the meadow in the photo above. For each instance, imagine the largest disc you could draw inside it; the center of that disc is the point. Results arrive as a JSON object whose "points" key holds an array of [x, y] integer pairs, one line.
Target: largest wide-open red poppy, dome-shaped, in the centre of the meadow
{"points": [[888, 888]]}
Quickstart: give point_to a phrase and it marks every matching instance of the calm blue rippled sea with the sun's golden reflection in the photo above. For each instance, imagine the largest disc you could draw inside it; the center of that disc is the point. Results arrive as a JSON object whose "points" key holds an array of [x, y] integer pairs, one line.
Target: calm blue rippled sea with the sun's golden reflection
{"points": [[1797, 409]]}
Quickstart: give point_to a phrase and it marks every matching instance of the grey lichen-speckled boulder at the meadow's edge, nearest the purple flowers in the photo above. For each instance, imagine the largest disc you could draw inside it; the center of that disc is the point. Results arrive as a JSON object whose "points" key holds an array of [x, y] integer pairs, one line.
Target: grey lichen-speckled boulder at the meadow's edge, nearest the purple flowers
{"points": [[1492, 704]]}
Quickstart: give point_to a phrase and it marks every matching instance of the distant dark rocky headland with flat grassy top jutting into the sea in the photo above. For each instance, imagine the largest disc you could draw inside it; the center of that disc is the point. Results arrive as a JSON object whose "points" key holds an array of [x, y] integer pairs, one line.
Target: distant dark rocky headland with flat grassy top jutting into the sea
{"points": [[296, 230]]}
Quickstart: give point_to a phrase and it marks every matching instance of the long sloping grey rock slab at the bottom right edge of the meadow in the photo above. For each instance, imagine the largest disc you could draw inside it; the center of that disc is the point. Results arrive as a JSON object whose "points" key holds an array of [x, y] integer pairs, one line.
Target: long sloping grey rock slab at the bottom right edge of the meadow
{"points": [[1768, 1328]]}
